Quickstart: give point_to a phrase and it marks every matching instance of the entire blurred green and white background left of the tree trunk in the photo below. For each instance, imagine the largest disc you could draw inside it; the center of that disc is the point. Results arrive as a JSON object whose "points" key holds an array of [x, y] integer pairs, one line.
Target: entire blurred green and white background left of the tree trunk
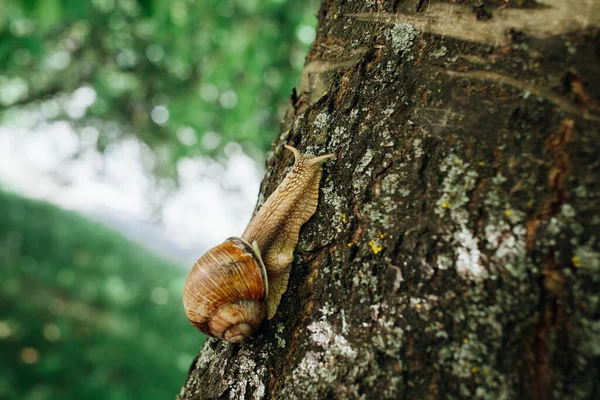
{"points": [[132, 139]]}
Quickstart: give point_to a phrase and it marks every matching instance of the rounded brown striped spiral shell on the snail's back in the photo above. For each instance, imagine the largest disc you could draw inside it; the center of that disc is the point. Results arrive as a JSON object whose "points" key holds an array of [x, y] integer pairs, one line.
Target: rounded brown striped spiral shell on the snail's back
{"points": [[225, 292]]}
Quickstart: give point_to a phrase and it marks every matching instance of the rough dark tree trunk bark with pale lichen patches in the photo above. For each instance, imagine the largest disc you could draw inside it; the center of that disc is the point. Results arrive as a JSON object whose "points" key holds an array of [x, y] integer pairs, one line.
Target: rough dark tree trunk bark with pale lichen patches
{"points": [[455, 249]]}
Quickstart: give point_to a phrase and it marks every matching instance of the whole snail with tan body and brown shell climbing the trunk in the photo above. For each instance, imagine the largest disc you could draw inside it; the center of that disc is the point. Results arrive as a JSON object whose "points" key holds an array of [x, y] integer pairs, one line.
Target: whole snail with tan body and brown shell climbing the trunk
{"points": [[235, 285]]}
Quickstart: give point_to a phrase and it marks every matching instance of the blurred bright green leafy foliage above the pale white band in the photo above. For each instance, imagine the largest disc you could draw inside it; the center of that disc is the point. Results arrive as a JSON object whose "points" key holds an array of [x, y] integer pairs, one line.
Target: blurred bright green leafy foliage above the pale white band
{"points": [[187, 77]]}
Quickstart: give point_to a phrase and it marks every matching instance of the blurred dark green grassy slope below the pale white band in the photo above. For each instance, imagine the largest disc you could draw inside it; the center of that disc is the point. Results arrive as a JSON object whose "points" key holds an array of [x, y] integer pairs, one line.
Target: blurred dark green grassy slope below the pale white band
{"points": [[85, 314]]}
